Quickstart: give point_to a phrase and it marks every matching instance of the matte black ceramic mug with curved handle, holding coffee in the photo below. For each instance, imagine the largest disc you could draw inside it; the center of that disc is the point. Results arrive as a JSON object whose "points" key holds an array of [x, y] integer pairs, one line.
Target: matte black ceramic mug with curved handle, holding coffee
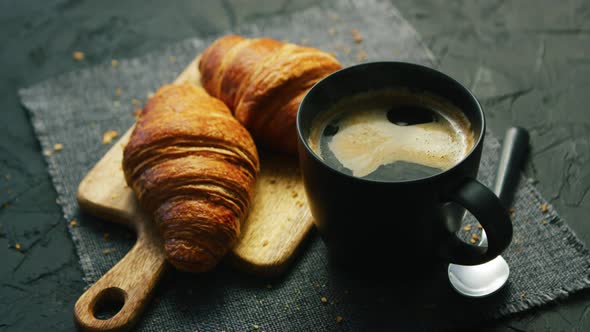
{"points": [[411, 222]]}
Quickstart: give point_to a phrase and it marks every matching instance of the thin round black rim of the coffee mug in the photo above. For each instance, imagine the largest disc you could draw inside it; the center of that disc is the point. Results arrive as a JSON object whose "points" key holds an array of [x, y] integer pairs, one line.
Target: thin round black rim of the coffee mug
{"points": [[430, 70]]}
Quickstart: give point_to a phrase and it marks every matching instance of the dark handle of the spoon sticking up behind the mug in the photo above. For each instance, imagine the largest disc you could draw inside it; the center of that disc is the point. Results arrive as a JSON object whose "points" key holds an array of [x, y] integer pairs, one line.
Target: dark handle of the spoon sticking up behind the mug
{"points": [[513, 155]]}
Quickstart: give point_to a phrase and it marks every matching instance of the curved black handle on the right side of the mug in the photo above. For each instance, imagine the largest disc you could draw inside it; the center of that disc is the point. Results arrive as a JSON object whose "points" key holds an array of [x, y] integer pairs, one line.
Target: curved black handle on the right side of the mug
{"points": [[487, 208]]}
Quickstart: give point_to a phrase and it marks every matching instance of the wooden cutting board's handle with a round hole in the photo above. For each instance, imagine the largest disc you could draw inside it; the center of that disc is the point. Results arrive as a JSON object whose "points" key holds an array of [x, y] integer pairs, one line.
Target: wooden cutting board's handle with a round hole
{"points": [[127, 286]]}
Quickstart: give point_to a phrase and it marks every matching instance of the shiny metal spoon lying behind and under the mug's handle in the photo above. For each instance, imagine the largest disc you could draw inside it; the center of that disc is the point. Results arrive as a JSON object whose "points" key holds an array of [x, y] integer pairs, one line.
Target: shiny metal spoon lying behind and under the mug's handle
{"points": [[486, 279]]}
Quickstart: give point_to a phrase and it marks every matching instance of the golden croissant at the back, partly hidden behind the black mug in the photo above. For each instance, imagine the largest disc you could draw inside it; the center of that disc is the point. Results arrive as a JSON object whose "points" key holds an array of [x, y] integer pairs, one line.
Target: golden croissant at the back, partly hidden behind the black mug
{"points": [[263, 82]]}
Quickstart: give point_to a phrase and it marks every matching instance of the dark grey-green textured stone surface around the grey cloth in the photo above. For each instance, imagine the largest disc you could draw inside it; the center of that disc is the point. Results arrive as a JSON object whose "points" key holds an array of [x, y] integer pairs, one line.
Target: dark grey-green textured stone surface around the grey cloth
{"points": [[533, 66]]}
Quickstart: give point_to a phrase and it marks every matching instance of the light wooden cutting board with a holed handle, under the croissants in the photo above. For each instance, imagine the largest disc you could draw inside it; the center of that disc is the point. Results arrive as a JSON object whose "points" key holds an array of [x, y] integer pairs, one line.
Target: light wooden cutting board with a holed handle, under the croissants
{"points": [[278, 222]]}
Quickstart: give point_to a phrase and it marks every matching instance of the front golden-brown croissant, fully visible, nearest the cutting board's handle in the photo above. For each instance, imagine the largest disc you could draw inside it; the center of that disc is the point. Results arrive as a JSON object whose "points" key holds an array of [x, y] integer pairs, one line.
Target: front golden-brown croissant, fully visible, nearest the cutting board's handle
{"points": [[193, 167]]}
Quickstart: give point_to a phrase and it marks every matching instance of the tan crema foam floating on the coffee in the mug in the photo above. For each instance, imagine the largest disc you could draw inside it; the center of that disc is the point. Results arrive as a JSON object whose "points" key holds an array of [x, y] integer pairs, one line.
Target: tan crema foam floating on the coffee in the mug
{"points": [[365, 139]]}
